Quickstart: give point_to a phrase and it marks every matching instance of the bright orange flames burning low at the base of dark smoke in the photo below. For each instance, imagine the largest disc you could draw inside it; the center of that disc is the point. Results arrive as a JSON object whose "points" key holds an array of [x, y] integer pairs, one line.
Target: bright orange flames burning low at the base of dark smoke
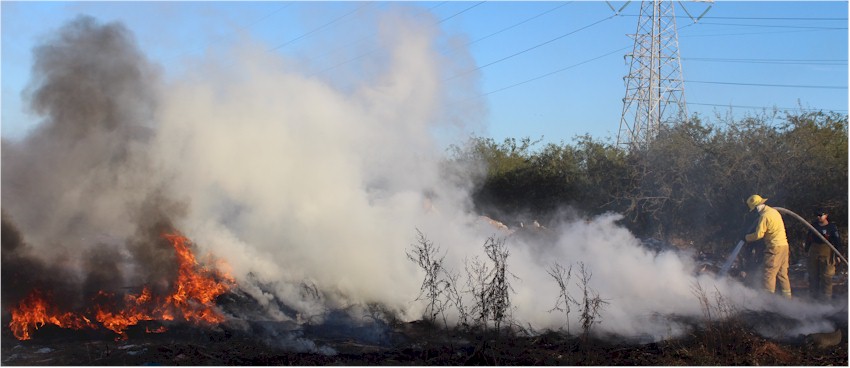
{"points": [[192, 299]]}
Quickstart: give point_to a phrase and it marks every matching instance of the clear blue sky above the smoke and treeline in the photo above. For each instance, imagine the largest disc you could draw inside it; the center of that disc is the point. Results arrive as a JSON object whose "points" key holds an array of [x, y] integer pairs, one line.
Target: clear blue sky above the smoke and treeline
{"points": [[547, 69]]}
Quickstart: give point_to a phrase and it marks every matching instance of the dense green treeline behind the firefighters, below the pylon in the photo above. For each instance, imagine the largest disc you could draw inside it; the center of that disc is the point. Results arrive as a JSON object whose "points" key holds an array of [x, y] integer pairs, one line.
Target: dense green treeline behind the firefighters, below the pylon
{"points": [[688, 186]]}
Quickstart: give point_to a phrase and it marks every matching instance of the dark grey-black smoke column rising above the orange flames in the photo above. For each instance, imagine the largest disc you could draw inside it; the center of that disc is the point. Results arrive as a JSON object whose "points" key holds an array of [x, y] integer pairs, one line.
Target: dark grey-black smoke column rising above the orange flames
{"points": [[82, 208]]}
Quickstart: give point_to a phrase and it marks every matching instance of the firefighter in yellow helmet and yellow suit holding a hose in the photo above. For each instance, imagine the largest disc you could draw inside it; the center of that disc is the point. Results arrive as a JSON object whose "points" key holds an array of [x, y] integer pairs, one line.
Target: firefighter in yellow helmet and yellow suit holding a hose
{"points": [[771, 228]]}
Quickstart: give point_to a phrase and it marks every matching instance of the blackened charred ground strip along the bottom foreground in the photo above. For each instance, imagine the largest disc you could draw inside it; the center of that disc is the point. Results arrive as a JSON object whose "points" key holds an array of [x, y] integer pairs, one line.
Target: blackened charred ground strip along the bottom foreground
{"points": [[416, 343]]}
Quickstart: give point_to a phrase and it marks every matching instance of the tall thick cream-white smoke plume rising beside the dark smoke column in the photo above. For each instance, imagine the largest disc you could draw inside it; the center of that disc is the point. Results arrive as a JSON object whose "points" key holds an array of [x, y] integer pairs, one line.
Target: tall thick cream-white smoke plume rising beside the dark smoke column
{"points": [[297, 182]]}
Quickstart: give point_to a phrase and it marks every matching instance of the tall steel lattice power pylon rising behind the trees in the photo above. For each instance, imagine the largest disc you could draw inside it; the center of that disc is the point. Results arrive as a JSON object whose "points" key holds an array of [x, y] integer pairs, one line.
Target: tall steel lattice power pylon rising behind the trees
{"points": [[655, 92]]}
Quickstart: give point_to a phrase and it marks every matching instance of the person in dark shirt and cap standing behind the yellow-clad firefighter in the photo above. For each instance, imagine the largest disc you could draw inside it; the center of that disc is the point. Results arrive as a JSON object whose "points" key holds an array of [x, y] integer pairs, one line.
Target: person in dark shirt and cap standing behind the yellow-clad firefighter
{"points": [[821, 258]]}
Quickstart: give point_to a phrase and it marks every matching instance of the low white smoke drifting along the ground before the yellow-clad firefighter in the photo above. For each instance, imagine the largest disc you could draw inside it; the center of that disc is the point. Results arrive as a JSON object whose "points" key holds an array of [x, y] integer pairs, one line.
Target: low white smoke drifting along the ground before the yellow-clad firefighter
{"points": [[646, 291]]}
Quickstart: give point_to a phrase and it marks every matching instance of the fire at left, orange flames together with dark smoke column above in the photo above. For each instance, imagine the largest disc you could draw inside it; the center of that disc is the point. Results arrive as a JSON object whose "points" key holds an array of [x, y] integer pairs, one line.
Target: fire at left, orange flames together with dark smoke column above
{"points": [[86, 168]]}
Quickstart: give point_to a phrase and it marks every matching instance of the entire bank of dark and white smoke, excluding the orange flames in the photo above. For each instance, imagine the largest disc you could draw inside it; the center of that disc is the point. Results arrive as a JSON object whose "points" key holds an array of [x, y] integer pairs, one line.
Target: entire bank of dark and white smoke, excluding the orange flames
{"points": [[311, 192]]}
